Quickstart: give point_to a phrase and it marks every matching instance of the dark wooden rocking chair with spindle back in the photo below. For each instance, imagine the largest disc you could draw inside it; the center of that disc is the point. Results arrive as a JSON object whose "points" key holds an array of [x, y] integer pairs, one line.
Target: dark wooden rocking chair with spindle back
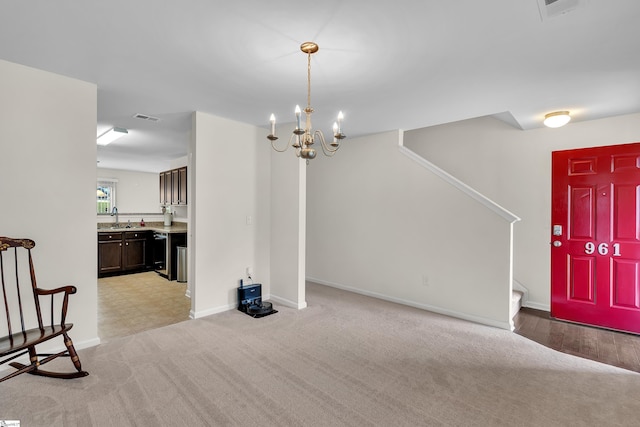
{"points": [[24, 341]]}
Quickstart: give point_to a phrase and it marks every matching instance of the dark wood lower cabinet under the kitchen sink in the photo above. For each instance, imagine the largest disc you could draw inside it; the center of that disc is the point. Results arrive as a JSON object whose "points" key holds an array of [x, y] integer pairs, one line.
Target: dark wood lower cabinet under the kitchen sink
{"points": [[122, 252]]}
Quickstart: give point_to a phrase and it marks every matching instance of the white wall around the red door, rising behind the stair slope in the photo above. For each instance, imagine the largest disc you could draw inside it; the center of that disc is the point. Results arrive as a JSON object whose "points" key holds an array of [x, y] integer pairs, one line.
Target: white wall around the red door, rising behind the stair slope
{"points": [[513, 167]]}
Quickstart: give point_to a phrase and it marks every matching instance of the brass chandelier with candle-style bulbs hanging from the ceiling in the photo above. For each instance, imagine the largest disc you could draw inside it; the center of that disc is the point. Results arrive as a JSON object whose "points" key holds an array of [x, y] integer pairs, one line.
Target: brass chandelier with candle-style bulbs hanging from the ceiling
{"points": [[302, 140]]}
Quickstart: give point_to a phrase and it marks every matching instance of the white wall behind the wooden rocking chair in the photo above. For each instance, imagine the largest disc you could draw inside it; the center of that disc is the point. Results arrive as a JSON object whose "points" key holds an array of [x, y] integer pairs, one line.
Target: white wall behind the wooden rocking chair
{"points": [[47, 159]]}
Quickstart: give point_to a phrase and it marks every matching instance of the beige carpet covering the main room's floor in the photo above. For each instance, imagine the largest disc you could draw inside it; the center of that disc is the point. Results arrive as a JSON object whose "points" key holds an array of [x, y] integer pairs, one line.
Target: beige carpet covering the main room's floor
{"points": [[344, 360]]}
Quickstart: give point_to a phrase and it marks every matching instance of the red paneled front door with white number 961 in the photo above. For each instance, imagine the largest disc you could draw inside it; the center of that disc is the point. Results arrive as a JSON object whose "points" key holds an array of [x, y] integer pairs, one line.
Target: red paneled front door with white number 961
{"points": [[595, 236]]}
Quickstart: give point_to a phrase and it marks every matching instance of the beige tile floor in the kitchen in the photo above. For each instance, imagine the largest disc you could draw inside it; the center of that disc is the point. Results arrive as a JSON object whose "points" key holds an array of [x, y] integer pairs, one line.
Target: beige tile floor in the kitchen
{"points": [[137, 302]]}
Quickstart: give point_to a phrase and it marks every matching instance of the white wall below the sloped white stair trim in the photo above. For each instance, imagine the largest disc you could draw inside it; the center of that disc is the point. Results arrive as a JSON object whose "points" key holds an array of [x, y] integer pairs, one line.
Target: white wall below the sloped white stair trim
{"points": [[380, 224]]}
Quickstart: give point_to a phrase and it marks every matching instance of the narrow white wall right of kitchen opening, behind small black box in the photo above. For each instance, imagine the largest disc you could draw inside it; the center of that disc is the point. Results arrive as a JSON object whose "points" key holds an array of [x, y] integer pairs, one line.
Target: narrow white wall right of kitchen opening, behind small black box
{"points": [[229, 223]]}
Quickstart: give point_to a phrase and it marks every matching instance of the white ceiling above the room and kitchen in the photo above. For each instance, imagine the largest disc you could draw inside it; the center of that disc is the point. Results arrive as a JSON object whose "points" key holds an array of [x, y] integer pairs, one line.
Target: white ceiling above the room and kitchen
{"points": [[388, 65]]}
